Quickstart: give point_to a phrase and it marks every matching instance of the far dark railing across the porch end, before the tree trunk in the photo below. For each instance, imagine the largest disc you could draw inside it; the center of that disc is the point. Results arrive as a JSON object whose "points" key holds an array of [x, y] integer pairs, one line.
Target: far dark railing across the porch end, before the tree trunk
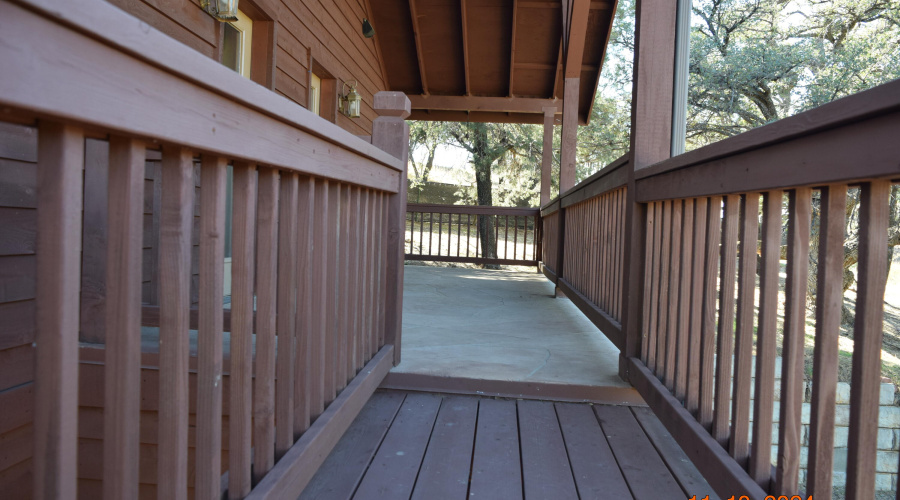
{"points": [[473, 234]]}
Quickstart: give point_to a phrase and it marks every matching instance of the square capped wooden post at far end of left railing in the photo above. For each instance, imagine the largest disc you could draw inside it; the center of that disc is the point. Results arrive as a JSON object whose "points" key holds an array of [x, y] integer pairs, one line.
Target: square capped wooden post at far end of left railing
{"points": [[391, 133]]}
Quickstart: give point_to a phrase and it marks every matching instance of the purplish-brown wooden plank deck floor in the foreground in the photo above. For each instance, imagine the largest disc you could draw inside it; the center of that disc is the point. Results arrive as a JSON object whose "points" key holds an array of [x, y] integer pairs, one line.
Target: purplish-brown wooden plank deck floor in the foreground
{"points": [[428, 446]]}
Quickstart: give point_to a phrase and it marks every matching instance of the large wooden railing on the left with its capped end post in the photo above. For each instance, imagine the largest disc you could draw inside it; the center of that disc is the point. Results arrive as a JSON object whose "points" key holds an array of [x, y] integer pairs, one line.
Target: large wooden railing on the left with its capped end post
{"points": [[317, 259]]}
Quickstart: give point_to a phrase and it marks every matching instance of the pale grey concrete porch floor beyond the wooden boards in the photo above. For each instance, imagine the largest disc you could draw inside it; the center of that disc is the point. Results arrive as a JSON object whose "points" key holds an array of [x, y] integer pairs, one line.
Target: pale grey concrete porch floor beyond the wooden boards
{"points": [[499, 325]]}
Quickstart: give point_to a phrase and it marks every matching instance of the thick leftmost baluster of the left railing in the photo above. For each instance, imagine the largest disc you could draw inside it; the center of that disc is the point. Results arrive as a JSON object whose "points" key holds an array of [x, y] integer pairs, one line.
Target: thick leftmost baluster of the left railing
{"points": [[60, 201]]}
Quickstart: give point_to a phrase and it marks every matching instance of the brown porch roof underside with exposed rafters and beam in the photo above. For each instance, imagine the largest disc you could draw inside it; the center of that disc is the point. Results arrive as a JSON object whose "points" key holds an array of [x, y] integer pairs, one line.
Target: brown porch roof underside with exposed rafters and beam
{"points": [[491, 60]]}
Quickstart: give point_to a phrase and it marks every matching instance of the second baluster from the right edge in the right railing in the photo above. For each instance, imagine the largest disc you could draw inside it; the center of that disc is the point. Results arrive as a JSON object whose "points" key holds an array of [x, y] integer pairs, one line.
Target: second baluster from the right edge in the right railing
{"points": [[829, 296]]}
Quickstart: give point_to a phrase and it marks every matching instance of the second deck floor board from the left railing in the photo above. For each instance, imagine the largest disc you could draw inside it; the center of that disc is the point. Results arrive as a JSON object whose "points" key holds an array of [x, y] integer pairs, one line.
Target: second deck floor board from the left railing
{"points": [[393, 472]]}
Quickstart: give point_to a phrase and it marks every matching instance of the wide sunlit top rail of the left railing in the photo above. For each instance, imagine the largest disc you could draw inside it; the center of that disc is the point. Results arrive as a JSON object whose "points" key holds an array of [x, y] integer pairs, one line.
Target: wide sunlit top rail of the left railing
{"points": [[165, 92]]}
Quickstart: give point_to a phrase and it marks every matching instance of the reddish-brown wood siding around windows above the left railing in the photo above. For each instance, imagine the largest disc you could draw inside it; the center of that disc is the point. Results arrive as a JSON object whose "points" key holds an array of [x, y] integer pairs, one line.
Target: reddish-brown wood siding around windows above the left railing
{"points": [[327, 31]]}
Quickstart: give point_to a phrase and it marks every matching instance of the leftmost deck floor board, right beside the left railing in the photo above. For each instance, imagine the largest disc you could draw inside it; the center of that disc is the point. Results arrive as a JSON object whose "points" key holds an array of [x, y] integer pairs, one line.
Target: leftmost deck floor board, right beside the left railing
{"points": [[344, 468]]}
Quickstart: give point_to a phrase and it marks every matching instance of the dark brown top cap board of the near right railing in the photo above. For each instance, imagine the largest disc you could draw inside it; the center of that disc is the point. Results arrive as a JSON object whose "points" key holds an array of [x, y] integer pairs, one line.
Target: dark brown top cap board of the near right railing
{"points": [[872, 103]]}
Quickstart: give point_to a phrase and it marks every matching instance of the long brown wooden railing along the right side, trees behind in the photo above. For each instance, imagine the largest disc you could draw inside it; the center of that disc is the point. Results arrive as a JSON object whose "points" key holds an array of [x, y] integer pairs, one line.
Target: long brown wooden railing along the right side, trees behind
{"points": [[701, 343]]}
